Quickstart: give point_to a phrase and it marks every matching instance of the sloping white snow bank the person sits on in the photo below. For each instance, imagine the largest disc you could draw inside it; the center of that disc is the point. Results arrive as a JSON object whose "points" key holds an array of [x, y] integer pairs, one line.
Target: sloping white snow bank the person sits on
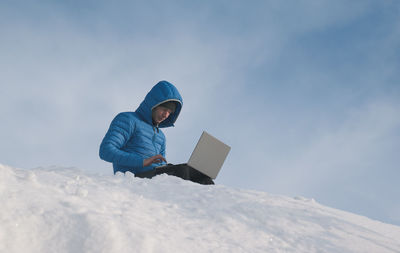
{"points": [[58, 209]]}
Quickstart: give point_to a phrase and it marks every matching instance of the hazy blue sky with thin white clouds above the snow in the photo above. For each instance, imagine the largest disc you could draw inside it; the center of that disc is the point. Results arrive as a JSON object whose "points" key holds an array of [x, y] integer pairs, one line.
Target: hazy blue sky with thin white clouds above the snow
{"points": [[306, 93]]}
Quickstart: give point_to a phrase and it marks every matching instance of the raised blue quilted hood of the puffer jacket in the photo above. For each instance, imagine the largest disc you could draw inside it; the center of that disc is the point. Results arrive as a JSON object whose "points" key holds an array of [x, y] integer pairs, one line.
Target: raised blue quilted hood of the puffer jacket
{"points": [[162, 92]]}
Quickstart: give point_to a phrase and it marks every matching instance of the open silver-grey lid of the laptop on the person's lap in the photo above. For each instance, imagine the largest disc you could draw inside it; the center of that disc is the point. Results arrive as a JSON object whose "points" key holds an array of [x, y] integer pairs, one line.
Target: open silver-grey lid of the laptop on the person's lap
{"points": [[209, 155]]}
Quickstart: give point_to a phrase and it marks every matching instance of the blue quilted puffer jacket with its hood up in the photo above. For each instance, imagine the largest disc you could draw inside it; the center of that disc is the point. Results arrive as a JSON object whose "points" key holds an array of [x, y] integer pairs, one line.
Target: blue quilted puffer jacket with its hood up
{"points": [[132, 137]]}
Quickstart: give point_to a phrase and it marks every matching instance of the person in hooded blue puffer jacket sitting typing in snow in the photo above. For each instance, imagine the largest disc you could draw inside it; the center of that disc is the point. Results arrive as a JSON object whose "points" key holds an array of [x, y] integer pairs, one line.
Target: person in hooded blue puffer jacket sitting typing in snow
{"points": [[134, 141]]}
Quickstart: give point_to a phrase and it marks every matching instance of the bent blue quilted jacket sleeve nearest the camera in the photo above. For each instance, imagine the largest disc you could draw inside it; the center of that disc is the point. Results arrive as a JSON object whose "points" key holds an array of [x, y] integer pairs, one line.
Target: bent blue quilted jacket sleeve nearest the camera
{"points": [[121, 129]]}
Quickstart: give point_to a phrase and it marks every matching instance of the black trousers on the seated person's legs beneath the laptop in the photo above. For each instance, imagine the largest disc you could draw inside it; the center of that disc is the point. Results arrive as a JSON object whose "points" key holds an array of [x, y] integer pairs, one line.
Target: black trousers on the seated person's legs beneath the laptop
{"points": [[181, 170]]}
